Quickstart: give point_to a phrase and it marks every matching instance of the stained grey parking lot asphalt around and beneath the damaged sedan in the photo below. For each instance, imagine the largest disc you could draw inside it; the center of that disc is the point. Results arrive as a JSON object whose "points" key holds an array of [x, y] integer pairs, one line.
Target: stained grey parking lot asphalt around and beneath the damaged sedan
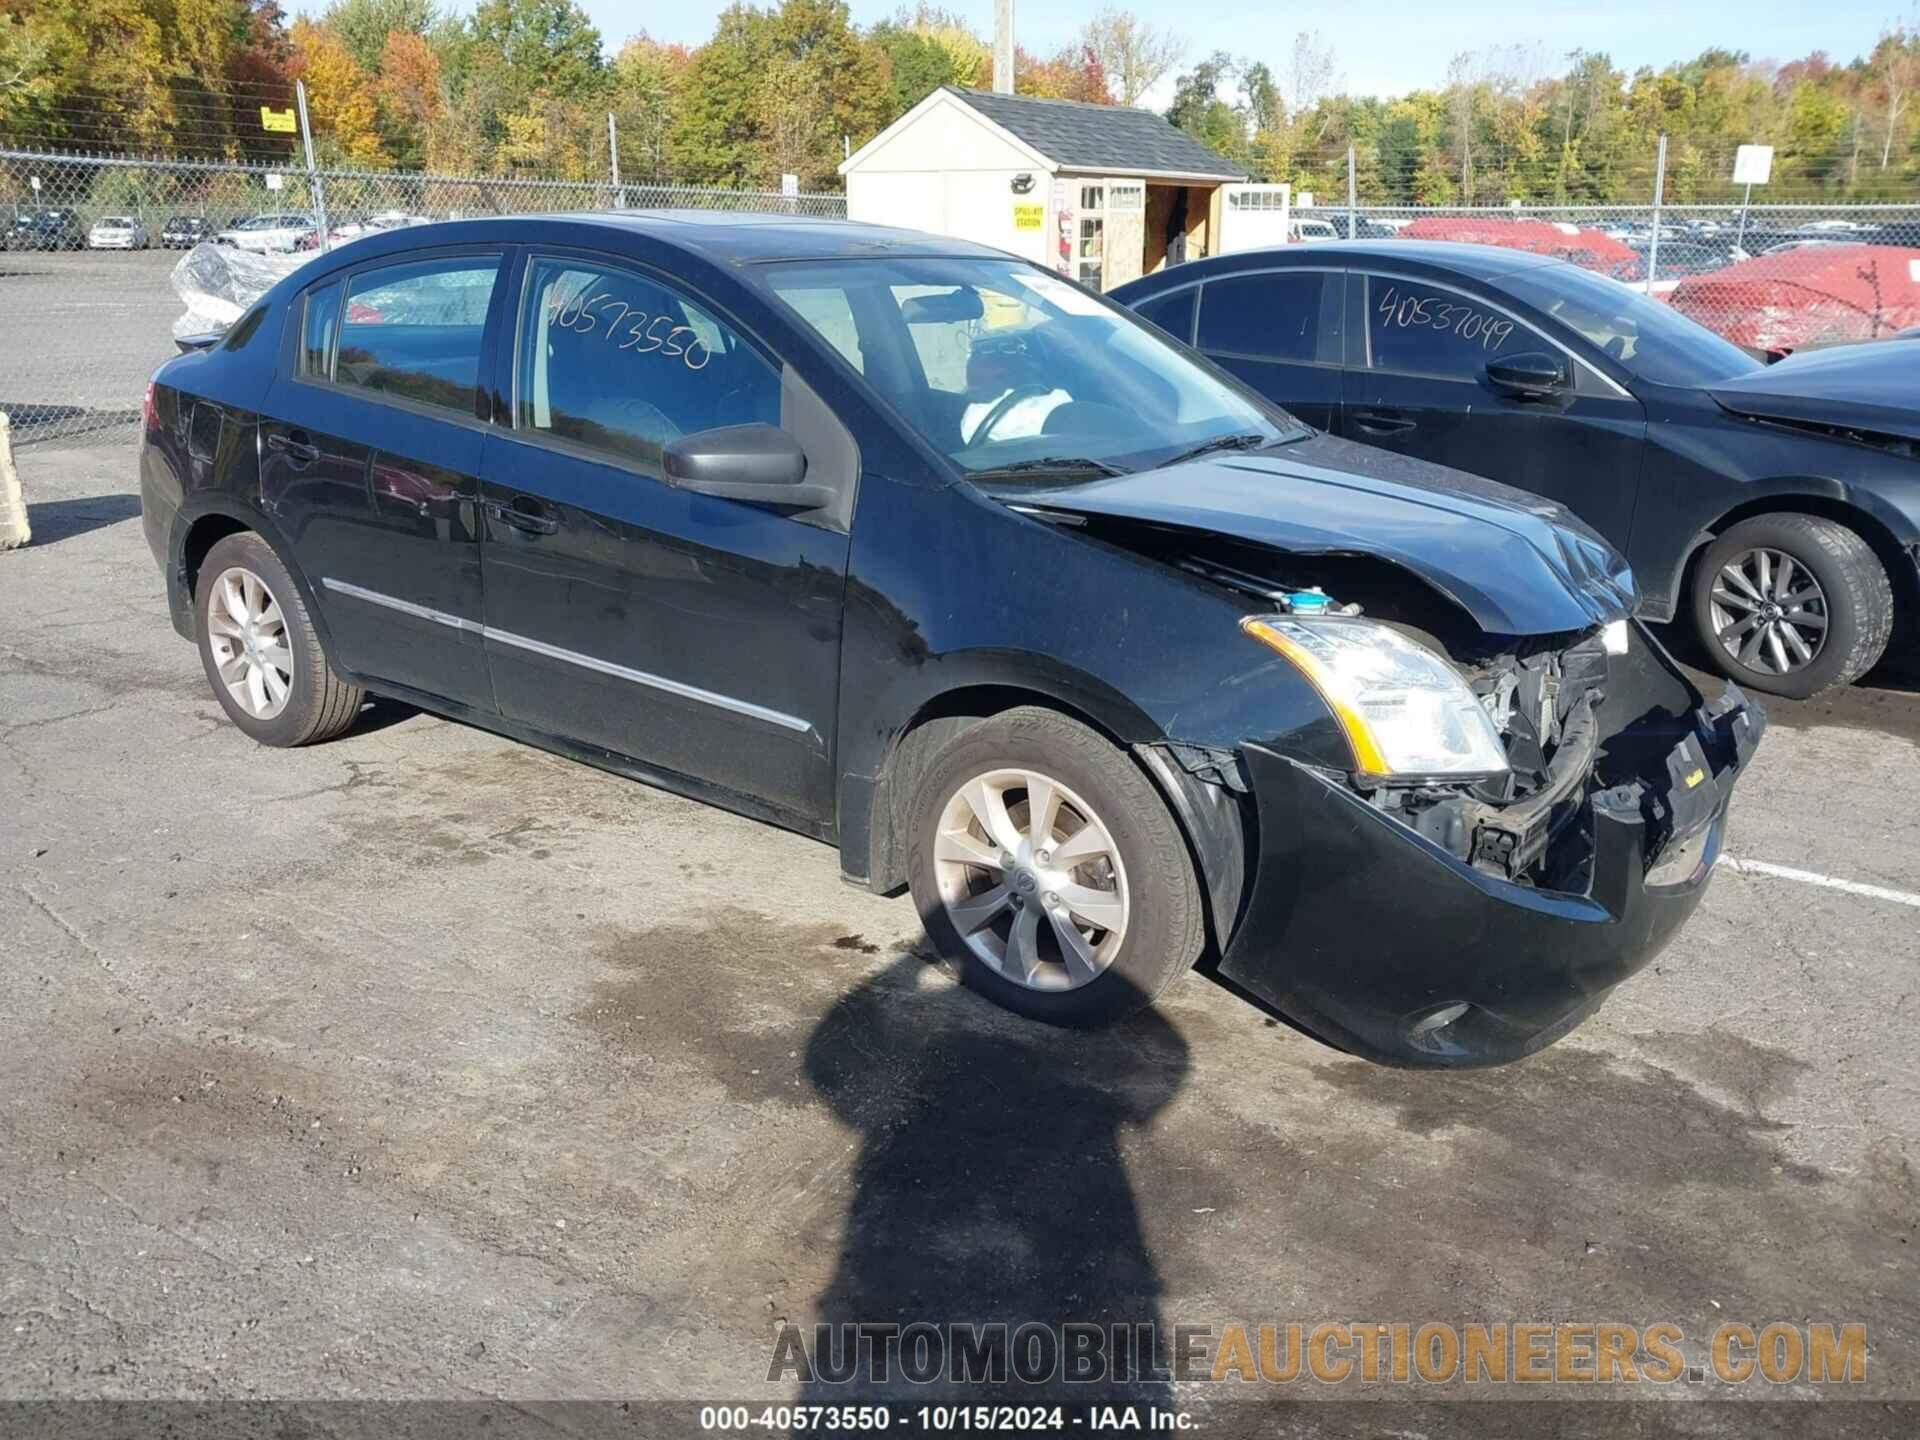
{"points": [[429, 1065]]}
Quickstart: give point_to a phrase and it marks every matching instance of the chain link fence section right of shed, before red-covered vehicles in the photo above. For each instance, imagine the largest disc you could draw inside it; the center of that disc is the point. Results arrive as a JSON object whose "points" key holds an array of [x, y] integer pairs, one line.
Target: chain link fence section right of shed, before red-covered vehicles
{"points": [[1773, 279]]}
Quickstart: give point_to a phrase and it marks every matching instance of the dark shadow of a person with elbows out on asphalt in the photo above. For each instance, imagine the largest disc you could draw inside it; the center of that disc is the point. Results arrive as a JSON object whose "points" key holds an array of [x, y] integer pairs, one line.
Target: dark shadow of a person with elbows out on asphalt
{"points": [[992, 1191]]}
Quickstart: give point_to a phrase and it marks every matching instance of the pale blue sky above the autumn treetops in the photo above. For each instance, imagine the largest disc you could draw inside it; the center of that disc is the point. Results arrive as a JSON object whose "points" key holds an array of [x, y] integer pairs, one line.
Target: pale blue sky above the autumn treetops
{"points": [[1383, 47]]}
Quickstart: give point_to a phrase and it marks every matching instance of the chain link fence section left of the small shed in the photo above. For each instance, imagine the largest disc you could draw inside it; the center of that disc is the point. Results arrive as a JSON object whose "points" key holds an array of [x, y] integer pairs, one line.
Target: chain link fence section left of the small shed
{"points": [[85, 297]]}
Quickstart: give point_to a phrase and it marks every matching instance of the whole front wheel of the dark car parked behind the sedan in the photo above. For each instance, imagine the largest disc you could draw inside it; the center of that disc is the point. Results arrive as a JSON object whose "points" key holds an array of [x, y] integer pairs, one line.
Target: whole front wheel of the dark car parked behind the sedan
{"points": [[1792, 604]]}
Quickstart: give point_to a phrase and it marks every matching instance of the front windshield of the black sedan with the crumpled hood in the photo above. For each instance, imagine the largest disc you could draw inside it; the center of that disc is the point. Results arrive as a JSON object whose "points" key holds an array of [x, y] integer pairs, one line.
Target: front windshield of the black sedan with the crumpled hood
{"points": [[1009, 370]]}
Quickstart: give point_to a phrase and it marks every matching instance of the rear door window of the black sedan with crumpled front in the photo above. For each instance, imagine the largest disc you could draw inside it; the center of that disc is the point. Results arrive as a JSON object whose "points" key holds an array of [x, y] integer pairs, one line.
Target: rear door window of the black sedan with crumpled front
{"points": [[414, 331]]}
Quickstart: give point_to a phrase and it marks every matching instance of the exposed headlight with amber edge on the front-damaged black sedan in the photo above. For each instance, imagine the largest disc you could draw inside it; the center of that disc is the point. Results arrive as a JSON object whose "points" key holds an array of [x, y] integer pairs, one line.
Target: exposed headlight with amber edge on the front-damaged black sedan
{"points": [[1406, 713]]}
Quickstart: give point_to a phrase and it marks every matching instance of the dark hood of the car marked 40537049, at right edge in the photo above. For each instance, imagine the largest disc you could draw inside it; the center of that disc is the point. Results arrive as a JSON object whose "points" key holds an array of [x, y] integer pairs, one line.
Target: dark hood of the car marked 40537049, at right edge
{"points": [[1873, 387]]}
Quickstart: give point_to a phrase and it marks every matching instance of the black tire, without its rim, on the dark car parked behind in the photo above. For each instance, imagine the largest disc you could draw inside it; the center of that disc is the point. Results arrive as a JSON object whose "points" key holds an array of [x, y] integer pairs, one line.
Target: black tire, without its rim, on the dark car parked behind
{"points": [[1860, 602]]}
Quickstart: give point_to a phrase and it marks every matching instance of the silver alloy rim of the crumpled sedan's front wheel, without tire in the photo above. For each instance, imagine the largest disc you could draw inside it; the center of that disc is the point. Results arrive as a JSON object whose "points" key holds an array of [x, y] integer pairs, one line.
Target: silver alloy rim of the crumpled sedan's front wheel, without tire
{"points": [[1032, 880]]}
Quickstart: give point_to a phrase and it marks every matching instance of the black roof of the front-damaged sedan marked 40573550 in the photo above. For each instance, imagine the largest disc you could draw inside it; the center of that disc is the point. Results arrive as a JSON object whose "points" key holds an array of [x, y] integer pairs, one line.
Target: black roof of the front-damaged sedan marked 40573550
{"points": [[717, 235]]}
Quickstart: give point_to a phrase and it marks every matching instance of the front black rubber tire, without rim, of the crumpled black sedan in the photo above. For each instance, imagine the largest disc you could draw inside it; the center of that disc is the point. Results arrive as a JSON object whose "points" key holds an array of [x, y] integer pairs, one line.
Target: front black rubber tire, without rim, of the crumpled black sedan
{"points": [[1166, 924]]}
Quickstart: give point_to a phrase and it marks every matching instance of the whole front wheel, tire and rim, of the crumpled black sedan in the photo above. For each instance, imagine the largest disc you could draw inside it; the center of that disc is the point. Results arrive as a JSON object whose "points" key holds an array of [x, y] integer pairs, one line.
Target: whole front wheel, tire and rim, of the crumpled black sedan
{"points": [[1047, 867]]}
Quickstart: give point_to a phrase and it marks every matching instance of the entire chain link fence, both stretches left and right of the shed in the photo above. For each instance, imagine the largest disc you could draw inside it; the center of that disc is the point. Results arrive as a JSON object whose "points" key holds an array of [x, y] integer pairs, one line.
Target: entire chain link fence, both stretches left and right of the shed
{"points": [[87, 308]]}
